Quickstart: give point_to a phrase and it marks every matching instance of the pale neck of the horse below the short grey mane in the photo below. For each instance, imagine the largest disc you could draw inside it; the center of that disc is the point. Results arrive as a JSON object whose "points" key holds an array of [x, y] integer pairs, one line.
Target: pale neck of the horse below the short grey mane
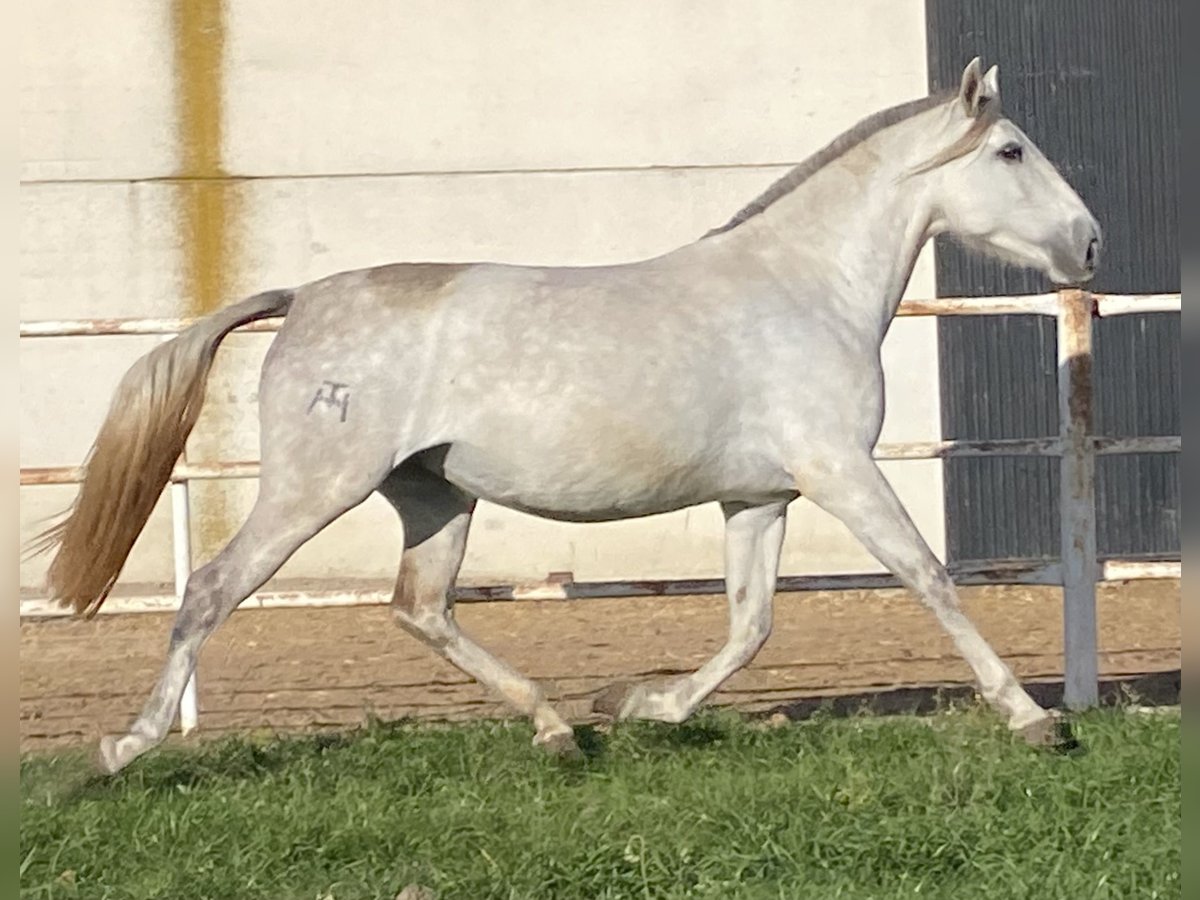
{"points": [[850, 236]]}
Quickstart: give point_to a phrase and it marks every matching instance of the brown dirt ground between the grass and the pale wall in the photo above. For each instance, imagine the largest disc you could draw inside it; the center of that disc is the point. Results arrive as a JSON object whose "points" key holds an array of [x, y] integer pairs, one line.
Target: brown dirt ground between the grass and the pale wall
{"points": [[310, 669]]}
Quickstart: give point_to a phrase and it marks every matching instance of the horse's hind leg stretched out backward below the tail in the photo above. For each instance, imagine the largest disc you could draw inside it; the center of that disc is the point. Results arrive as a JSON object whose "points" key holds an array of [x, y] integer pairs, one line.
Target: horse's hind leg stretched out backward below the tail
{"points": [[279, 524]]}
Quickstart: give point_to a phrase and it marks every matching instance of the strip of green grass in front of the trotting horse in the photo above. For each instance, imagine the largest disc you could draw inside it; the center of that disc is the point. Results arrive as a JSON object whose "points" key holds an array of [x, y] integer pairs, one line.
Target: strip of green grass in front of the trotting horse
{"points": [[950, 807]]}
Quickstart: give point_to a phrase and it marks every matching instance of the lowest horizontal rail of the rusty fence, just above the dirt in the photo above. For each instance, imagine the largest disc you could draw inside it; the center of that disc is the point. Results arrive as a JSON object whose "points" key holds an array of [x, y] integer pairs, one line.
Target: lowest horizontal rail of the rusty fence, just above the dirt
{"points": [[1011, 573]]}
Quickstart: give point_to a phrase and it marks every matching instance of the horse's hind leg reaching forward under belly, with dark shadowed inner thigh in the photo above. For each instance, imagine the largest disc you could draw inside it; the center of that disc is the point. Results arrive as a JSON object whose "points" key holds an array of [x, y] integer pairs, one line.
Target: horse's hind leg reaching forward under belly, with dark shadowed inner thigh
{"points": [[437, 517]]}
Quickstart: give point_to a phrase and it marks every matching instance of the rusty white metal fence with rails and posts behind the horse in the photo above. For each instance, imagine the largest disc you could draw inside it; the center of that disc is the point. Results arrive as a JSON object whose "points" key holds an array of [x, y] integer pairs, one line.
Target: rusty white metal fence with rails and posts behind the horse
{"points": [[1078, 571]]}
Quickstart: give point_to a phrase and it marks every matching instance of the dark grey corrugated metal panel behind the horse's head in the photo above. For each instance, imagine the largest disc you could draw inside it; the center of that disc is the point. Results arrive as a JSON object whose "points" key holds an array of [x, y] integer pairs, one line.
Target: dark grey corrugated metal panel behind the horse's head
{"points": [[1095, 86]]}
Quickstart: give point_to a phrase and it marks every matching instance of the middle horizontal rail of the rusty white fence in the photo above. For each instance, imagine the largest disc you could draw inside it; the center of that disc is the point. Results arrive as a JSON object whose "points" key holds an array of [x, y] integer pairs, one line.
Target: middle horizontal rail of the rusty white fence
{"points": [[898, 451]]}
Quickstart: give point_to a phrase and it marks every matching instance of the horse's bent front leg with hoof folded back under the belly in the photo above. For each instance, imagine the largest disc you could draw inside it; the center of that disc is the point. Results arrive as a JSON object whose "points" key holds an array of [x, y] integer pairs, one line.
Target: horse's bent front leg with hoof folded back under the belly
{"points": [[754, 537]]}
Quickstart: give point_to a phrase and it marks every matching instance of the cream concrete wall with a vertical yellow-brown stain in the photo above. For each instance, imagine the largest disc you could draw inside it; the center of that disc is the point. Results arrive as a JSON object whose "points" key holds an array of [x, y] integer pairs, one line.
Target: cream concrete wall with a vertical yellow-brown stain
{"points": [[177, 157]]}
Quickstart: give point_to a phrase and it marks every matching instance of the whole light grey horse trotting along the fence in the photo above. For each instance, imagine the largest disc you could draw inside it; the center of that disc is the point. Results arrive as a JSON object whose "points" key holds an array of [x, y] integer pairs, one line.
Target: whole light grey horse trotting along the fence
{"points": [[743, 369]]}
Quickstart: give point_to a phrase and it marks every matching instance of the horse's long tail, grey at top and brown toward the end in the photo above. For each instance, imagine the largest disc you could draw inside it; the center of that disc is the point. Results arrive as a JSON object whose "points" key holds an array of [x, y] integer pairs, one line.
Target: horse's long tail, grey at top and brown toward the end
{"points": [[153, 412]]}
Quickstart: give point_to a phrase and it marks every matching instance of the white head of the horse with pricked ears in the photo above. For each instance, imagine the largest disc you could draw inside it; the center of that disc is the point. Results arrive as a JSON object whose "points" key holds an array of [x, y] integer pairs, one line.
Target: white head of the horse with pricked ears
{"points": [[995, 191]]}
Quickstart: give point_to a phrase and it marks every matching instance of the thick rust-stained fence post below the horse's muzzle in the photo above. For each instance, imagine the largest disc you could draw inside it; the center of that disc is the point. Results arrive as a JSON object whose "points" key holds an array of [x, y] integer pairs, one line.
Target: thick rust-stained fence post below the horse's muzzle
{"points": [[1078, 499]]}
